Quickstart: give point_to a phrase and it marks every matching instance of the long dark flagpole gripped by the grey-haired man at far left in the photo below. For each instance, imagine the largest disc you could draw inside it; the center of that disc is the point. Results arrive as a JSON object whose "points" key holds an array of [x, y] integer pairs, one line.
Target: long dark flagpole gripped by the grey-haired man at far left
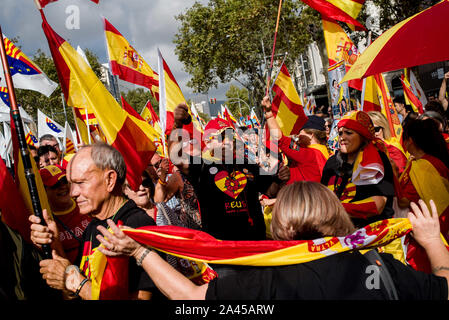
{"points": [[15, 115]]}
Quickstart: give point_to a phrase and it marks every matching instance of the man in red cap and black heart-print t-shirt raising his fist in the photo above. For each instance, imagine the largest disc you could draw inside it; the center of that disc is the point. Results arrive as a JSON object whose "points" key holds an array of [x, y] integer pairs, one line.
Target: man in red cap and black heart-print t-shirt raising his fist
{"points": [[226, 184]]}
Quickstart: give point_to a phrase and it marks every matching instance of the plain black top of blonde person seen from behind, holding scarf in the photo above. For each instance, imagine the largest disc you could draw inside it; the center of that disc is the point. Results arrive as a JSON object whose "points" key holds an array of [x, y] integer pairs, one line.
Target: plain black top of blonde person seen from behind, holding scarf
{"points": [[344, 276]]}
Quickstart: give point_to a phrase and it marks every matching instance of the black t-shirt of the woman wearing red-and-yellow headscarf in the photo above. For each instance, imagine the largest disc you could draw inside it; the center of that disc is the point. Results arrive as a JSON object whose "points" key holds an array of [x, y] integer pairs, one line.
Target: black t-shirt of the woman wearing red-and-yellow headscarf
{"points": [[384, 188]]}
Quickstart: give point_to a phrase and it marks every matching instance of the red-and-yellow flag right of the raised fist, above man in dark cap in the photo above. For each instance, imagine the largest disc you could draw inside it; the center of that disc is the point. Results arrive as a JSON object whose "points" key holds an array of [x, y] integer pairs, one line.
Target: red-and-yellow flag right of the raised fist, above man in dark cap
{"points": [[286, 105]]}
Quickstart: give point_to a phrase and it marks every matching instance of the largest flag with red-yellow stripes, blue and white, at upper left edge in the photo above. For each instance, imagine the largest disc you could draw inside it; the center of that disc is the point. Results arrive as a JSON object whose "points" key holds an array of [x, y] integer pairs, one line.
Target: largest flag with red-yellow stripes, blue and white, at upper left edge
{"points": [[25, 74]]}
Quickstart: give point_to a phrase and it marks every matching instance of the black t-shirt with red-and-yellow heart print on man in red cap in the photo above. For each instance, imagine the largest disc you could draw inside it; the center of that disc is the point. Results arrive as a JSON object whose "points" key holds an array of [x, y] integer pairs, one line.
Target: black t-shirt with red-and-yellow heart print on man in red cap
{"points": [[228, 196]]}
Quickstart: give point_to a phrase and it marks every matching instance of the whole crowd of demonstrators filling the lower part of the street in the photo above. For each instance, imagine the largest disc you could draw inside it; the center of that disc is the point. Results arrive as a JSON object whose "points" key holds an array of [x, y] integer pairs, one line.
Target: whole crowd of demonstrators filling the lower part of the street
{"points": [[240, 187]]}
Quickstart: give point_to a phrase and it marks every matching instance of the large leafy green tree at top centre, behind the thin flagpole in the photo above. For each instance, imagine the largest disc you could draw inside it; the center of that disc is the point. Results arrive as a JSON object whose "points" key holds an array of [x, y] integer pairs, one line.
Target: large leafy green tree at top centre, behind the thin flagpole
{"points": [[228, 40]]}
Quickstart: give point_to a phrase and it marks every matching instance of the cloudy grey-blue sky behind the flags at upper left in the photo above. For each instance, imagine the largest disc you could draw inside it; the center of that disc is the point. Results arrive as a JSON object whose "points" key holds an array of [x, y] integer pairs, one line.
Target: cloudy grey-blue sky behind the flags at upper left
{"points": [[146, 24]]}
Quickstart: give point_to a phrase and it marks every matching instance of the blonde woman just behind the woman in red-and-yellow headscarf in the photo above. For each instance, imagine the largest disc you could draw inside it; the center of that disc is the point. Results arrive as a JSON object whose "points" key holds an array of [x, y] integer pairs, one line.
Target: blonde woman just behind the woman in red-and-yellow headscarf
{"points": [[395, 150]]}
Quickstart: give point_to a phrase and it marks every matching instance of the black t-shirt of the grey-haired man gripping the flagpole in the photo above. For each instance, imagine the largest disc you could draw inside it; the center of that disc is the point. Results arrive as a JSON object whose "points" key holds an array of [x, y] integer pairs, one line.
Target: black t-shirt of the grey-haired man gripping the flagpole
{"points": [[128, 215]]}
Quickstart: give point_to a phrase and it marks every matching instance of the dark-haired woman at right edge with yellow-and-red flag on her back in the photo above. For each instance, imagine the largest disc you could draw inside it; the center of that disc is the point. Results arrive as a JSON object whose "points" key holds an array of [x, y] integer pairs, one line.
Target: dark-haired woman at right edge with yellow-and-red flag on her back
{"points": [[426, 177]]}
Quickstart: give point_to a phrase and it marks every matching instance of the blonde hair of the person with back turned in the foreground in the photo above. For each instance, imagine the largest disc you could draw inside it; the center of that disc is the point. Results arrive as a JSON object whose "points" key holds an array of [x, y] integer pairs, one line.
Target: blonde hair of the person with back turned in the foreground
{"points": [[308, 210]]}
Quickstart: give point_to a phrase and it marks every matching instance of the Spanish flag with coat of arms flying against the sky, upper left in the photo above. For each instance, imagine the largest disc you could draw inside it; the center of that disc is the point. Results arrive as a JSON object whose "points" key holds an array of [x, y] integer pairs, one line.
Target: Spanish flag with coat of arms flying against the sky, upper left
{"points": [[126, 62]]}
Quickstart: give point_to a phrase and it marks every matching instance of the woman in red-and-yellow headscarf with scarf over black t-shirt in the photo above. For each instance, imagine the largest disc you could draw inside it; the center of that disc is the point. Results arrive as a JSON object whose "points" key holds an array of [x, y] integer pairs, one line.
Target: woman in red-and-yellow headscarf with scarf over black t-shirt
{"points": [[360, 173]]}
